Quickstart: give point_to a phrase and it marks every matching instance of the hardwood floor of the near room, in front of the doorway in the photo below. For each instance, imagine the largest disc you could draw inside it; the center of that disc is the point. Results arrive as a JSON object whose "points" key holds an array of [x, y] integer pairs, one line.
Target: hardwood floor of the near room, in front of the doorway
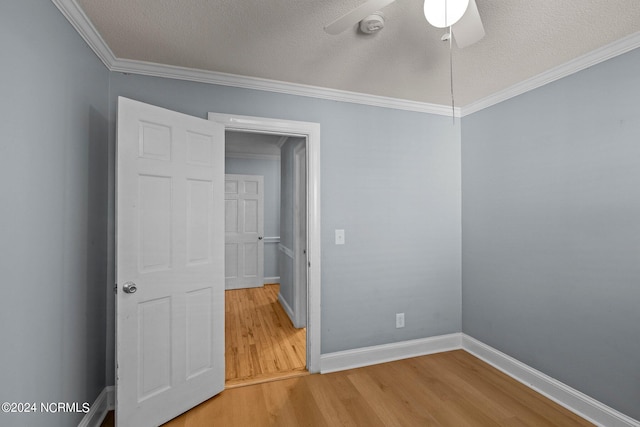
{"points": [[446, 389]]}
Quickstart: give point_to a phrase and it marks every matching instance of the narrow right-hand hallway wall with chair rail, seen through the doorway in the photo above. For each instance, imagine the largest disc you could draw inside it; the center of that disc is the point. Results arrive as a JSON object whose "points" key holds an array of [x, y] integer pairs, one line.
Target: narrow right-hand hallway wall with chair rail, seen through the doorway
{"points": [[287, 238]]}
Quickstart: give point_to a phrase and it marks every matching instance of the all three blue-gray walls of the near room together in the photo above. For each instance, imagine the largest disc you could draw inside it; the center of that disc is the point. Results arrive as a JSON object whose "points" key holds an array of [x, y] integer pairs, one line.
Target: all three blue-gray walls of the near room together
{"points": [[550, 218]]}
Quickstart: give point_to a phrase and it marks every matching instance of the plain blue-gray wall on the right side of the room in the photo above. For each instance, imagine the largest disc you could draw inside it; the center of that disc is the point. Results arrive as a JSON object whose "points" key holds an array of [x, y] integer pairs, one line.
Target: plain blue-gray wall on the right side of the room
{"points": [[551, 230]]}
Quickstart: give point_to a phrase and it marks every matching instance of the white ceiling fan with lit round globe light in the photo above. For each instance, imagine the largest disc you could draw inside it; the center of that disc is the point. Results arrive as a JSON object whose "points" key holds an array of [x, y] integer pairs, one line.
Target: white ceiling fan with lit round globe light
{"points": [[461, 16]]}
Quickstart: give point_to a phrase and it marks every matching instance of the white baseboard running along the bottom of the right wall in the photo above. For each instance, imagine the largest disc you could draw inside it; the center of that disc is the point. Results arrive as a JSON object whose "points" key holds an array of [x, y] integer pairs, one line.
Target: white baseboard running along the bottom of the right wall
{"points": [[575, 401]]}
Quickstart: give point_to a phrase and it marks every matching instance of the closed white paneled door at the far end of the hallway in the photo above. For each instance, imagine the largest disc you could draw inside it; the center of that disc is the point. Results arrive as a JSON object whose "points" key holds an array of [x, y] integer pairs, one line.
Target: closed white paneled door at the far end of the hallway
{"points": [[244, 228]]}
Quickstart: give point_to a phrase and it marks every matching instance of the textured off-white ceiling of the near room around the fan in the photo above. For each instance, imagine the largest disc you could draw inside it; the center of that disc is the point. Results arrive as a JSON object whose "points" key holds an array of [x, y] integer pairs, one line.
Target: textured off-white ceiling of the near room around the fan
{"points": [[284, 40]]}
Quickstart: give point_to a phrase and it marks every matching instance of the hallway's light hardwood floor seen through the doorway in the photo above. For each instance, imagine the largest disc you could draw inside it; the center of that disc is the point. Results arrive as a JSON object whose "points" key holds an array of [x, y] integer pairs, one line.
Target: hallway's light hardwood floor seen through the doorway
{"points": [[261, 343]]}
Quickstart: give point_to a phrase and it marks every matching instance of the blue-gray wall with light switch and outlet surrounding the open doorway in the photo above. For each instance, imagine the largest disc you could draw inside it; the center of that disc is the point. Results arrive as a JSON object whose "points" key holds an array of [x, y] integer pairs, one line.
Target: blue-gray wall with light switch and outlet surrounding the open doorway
{"points": [[390, 178]]}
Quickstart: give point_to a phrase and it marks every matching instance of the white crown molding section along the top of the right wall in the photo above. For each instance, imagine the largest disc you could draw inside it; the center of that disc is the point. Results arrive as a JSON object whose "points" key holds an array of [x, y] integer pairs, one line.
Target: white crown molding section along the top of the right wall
{"points": [[580, 63]]}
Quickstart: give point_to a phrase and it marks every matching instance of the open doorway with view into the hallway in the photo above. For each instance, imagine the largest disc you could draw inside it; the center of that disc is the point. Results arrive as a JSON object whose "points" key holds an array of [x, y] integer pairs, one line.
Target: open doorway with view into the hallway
{"points": [[265, 338]]}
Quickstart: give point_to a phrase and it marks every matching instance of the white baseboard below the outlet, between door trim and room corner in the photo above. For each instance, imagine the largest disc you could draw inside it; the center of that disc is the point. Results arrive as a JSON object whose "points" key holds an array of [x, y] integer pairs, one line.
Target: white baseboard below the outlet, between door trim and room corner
{"points": [[357, 358]]}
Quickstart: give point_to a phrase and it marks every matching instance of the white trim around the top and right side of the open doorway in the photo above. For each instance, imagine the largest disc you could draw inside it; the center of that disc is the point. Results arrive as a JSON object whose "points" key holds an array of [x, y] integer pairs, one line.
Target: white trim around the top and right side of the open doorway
{"points": [[310, 131]]}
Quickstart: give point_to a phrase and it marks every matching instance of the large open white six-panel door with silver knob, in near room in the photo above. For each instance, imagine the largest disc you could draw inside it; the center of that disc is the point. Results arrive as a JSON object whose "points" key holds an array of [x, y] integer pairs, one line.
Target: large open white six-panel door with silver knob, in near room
{"points": [[170, 246]]}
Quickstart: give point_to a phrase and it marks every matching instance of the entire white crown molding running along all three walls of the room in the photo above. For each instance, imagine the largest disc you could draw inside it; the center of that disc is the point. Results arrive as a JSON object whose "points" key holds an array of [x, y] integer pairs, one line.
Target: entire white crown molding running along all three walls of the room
{"points": [[85, 28]]}
